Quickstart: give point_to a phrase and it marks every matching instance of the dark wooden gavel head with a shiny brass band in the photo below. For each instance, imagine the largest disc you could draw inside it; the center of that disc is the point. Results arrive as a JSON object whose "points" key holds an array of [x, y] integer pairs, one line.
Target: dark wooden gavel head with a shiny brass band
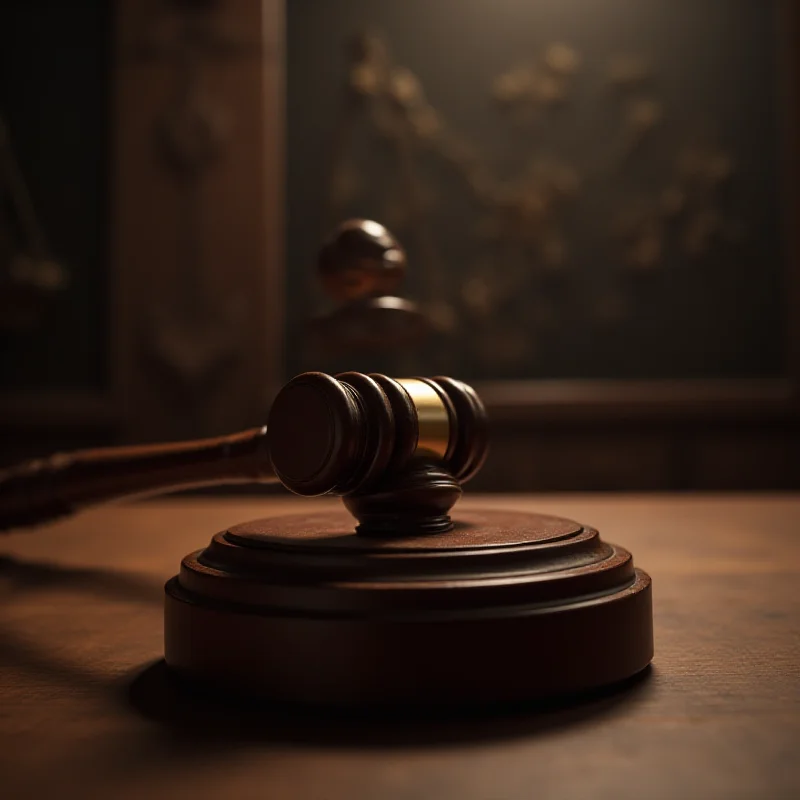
{"points": [[342, 435]]}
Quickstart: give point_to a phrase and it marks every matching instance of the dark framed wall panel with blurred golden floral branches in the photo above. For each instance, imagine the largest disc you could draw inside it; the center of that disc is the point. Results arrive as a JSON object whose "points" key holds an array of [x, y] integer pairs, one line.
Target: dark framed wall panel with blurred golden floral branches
{"points": [[607, 281]]}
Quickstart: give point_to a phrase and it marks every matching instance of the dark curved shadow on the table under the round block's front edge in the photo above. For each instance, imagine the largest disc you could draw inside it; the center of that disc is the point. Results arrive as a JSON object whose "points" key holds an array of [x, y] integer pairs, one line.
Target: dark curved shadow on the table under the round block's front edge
{"points": [[196, 715]]}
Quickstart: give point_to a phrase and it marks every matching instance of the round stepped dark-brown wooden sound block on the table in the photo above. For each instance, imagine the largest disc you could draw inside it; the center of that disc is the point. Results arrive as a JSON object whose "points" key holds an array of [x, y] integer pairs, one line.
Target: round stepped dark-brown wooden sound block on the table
{"points": [[507, 606]]}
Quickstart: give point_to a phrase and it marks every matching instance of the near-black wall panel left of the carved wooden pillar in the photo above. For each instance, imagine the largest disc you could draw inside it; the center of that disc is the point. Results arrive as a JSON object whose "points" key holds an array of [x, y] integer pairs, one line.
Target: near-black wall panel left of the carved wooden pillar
{"points": [[56, 100]]}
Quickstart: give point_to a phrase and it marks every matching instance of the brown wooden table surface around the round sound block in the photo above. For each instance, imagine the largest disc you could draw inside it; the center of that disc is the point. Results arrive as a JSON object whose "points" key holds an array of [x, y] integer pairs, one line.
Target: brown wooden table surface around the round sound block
{"points": [[88, 710]]}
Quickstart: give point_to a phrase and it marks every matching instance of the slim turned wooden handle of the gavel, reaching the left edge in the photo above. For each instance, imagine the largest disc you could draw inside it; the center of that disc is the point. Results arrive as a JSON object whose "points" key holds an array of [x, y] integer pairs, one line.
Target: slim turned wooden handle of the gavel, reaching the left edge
{"points": [[44, 489]]}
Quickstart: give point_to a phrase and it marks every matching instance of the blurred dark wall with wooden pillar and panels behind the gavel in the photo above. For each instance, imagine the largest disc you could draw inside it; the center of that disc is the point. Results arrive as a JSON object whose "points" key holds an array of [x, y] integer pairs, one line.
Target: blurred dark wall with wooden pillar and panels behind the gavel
{"points": [[596, 199]]}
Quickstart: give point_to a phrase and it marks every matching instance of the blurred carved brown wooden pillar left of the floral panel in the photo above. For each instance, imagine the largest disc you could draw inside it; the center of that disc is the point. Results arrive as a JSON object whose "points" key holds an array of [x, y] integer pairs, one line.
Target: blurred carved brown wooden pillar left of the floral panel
{"points": [[198, 195]]}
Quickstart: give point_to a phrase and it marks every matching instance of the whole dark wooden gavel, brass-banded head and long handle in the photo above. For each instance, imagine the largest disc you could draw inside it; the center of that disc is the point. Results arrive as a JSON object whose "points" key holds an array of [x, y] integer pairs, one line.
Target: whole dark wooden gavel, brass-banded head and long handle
{"points": [[346, 435]]}
